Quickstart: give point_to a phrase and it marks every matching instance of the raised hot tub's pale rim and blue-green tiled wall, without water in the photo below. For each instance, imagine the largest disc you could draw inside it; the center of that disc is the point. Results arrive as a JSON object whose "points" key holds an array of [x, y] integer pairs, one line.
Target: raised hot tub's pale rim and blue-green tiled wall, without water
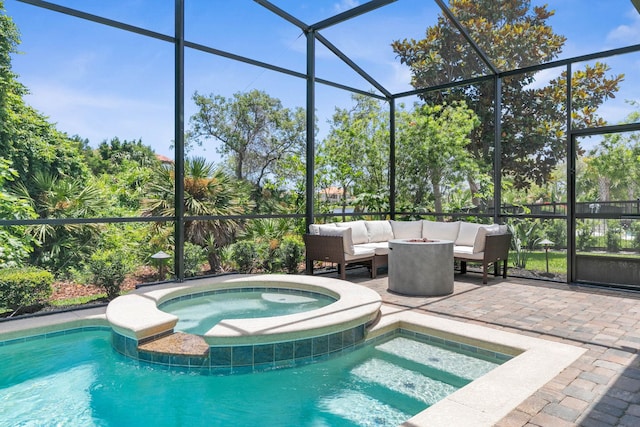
{"points": [[245, 344]]}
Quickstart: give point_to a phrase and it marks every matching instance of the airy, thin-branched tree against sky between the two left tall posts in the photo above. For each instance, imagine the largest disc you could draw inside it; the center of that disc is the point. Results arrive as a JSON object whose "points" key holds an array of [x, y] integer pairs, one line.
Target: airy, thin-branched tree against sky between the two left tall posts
{"points": [[257, 133]]}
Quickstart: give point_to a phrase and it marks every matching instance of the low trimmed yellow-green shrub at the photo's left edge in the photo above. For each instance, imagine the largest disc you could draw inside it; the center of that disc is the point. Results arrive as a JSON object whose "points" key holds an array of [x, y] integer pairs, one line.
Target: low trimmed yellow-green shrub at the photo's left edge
{"points": [[22, 287]]}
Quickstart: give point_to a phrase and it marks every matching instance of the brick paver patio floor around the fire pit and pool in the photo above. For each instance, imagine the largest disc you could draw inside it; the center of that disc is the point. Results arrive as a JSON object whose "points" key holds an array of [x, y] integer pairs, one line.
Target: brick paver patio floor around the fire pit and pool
{"points": [[602, 388]]}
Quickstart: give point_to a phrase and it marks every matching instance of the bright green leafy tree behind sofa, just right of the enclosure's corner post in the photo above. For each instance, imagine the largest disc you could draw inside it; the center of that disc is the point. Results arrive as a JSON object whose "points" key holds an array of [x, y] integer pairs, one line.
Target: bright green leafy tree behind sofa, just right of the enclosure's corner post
{"points": [[432, 155]]}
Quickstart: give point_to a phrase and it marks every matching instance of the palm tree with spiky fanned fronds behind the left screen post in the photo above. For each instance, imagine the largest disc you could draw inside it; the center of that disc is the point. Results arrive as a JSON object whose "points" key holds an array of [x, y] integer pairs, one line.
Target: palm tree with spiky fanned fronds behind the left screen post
{"points": [[208, 191]]}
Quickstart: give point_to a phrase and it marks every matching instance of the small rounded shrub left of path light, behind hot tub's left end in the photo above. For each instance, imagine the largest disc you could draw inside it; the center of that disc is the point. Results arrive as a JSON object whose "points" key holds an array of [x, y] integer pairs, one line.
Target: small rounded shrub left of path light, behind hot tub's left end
{"points": [[109, 269]]}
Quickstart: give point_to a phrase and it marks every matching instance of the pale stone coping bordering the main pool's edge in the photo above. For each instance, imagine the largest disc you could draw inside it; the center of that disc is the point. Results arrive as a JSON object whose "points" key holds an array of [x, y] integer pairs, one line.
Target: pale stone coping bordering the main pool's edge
{"points": [[483, 402]]}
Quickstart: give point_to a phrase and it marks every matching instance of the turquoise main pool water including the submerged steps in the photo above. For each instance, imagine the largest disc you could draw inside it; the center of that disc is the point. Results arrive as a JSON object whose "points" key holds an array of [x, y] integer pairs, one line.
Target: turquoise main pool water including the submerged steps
{"points": [[77, 379]]}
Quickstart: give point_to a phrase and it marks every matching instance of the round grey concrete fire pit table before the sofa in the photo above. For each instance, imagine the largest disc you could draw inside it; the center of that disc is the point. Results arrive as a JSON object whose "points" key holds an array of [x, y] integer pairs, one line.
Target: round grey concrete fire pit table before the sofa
{"points": [[421, 267]]}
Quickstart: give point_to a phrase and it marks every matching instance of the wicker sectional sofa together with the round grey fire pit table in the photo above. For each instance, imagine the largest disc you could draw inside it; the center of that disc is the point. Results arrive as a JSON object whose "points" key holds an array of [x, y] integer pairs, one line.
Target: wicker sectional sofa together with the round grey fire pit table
{"points": [[414, 251]]}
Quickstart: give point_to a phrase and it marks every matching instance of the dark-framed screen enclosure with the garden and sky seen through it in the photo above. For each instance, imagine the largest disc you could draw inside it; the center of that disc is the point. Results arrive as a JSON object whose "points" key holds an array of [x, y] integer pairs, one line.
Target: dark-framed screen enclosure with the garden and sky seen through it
{"points": [[214, 132]]}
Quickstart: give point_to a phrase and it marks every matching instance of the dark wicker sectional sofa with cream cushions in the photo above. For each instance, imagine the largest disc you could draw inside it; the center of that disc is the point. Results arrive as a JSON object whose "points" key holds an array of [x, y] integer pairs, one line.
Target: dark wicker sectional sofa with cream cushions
{"points": [[366, 242]]}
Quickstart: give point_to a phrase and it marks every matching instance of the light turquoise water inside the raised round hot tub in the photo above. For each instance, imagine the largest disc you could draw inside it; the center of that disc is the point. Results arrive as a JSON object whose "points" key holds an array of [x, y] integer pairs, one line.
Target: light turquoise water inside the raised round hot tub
{"points": [[199, 314]]}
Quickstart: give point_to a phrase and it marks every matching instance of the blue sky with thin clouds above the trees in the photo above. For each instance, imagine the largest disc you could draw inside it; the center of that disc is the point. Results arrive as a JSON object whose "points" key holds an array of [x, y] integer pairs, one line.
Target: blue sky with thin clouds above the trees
{"points": [[99, 82]]}
